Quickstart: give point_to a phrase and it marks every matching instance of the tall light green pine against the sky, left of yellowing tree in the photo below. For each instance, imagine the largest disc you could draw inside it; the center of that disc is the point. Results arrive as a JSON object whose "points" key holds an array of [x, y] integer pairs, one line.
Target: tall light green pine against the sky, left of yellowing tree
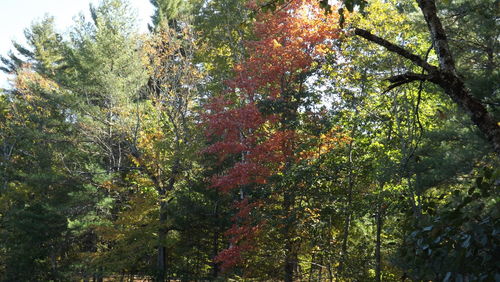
{"points": [[88, 87]]}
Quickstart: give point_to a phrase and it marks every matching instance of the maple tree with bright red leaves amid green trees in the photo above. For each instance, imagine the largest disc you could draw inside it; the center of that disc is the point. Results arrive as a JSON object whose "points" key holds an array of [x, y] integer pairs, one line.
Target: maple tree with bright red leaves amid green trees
{"points": [[259, 125]]}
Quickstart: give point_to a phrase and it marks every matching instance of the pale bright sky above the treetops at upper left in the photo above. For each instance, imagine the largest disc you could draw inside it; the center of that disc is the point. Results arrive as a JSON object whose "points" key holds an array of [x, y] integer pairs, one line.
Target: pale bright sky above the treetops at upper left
{"points": [[17, 15]]}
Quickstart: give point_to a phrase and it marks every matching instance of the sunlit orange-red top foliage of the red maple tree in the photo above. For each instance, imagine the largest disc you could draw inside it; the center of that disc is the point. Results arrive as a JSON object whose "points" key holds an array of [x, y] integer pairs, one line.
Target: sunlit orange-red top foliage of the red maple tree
{"points": [[290, 39]]}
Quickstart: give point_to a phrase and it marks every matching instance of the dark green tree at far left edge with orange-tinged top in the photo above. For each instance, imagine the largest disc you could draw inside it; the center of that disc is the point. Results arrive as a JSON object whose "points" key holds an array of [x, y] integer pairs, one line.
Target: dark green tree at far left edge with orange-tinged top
{"points": [[36, 198]]}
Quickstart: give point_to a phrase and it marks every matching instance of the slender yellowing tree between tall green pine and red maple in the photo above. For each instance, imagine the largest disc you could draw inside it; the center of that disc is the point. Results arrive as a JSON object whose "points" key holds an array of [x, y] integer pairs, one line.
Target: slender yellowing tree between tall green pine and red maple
{"points": [[165, 150]]}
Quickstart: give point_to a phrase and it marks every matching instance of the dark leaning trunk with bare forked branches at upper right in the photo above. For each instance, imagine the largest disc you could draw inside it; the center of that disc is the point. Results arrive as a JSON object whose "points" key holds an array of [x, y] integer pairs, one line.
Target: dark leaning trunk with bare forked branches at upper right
{"points": [[445, 75]]}
